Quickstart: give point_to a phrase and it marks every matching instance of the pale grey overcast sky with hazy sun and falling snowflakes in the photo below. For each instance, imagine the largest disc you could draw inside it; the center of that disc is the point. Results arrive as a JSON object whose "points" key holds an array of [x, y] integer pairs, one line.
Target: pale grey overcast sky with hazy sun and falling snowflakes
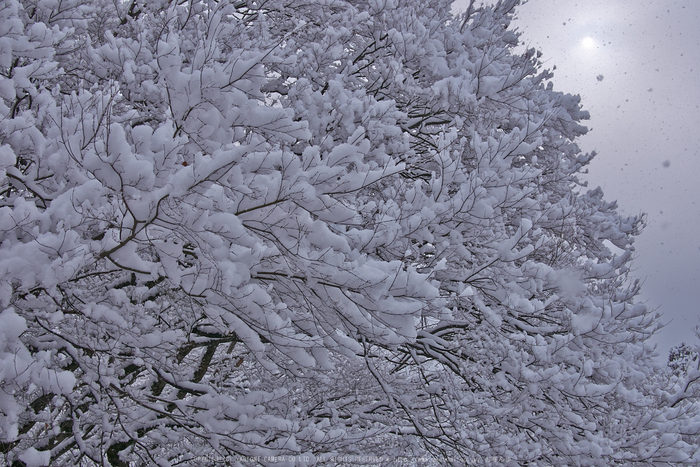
{"points": [[636, 65]]}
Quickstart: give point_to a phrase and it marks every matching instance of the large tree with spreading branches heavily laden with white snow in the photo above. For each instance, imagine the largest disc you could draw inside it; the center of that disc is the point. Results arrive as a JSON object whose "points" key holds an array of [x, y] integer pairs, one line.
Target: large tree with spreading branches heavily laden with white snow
{"points": [[305, 229]]}
